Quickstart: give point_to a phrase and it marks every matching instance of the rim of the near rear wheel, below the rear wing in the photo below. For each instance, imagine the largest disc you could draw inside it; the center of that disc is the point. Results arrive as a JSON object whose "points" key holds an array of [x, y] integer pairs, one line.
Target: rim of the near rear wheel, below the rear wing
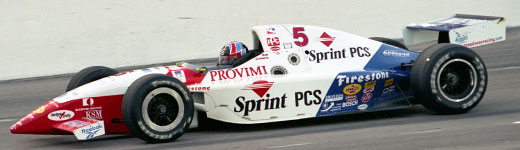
{"points": [[457, 80]]}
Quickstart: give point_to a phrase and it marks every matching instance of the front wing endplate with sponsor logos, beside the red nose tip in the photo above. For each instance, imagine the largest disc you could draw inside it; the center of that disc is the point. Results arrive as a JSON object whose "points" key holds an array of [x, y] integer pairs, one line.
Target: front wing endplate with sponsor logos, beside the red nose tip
{"points": [[82, 128]]}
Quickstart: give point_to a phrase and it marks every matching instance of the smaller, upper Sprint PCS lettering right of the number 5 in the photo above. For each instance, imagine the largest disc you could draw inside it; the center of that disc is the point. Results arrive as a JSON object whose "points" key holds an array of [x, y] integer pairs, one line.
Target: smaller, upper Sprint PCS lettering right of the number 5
{"points": [[338, 54]]}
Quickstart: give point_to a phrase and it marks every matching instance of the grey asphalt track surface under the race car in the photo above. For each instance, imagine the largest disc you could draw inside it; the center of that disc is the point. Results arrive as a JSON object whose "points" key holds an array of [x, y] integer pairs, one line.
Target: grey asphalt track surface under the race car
{"points": [[493, 124]]}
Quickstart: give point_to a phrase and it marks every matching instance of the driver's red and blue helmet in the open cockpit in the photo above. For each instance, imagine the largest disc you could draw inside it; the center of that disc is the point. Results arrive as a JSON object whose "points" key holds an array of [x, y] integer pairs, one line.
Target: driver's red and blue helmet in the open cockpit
{"points": [[231, 51]]}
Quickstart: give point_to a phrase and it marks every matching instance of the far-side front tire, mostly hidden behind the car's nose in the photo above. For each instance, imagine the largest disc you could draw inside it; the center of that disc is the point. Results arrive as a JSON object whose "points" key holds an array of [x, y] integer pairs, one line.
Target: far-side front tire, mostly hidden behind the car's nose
{"points": [[88, 75]]}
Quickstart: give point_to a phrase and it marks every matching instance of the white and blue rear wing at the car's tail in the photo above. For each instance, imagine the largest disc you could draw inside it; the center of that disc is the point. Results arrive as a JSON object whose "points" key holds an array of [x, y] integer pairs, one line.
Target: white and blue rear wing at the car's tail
{"points": [[467, 30]]}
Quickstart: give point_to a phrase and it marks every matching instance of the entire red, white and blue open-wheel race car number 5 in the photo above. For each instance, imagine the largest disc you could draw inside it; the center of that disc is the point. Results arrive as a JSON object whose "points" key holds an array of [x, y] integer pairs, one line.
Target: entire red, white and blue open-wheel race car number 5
{"points": [[292, 72]]}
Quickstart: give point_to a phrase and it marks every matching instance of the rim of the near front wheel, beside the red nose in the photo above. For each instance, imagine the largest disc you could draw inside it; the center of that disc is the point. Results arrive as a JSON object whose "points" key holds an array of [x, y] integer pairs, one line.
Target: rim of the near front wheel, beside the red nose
{"points": [[163, 109]]}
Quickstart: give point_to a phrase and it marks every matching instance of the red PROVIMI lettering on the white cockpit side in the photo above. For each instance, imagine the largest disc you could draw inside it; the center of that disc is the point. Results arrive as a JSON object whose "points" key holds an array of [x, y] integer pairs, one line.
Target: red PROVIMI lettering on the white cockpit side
{"points": [[226, 74]]}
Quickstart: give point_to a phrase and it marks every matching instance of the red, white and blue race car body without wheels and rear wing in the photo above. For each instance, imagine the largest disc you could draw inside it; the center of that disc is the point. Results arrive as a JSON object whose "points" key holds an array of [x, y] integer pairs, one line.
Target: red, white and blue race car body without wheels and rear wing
{"points": [[298, 72]]}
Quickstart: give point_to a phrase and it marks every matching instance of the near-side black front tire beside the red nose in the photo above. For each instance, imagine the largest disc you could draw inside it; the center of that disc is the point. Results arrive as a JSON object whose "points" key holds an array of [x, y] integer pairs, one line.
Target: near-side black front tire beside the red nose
{"points": [[168, 108]]}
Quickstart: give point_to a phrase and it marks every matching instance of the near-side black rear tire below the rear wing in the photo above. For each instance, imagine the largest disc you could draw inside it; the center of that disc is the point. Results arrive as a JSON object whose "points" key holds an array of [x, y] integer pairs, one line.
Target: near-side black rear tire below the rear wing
{"points": [[448, 78]]}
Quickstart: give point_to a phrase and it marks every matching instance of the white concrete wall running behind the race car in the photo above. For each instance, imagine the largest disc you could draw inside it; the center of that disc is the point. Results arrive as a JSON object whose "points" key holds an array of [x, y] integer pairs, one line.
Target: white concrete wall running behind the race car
{"points": [[39, 38]]}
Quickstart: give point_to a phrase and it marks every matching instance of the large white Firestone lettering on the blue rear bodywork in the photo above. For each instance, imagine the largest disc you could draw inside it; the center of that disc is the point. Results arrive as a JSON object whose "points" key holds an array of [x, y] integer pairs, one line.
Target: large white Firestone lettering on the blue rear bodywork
{"points": [[360, 78]]}
